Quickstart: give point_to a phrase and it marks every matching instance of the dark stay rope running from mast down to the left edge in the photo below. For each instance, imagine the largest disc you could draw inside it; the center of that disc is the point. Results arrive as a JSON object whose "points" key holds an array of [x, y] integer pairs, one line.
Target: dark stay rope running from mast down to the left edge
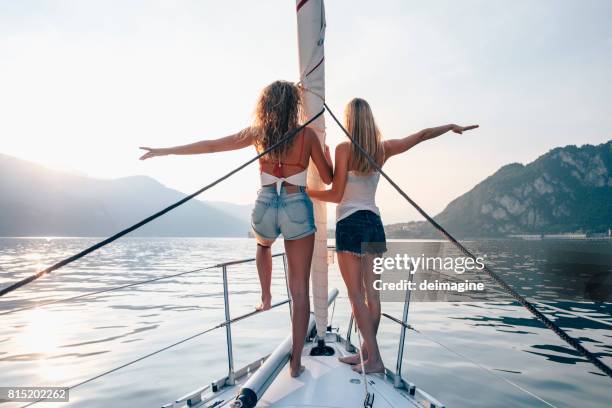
{"points": [[286, 137]]}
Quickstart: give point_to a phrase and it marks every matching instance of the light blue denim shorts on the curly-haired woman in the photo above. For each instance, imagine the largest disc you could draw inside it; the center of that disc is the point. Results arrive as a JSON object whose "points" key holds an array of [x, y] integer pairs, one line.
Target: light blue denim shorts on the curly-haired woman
{"points": [[289, 214]]}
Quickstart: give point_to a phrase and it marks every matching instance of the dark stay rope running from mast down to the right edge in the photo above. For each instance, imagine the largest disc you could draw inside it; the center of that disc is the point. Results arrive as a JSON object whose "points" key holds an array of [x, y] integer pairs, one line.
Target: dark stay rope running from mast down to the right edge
{"points": [[528, 305]]}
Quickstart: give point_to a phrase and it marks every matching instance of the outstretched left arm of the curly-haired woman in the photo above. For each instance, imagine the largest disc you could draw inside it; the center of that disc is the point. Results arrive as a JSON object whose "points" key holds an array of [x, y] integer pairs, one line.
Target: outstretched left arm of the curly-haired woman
{"points": [[232, 142]]}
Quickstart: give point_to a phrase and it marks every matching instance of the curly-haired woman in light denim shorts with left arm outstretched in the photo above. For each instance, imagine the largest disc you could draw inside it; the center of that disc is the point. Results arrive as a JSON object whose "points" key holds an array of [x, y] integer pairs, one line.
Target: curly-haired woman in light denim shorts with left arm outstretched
{"points": [[282, 205]]}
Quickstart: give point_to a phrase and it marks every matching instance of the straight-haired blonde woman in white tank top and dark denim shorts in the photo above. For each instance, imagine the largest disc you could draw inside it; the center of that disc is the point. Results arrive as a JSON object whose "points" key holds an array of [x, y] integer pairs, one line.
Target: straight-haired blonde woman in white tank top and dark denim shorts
{"points": [[360, 235]]}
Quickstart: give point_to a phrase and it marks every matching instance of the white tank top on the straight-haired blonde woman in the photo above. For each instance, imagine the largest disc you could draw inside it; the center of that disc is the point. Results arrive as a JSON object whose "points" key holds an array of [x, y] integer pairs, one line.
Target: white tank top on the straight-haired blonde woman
{"points": [[359, 194]]}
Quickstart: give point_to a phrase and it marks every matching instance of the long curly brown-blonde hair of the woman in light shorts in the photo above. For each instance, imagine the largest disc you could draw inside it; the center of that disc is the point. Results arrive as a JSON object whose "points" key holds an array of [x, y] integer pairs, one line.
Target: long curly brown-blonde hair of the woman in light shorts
{"points": [[278, 110]]}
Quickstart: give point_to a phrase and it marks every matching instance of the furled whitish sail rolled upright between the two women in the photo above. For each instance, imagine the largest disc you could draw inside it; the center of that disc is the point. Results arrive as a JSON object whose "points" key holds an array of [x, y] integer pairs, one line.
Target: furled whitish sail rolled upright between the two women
{"points": [[311, 35]]}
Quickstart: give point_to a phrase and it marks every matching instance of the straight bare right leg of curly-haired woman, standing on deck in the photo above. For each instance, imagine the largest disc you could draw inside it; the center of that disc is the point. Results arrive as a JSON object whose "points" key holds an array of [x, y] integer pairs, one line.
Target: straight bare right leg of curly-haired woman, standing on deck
{"points": [[299, 258]]}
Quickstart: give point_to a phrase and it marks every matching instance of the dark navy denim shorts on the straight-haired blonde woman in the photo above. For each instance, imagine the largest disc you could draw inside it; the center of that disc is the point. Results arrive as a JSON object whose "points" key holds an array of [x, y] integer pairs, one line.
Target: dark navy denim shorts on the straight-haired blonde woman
{"points": [[360, 233]]}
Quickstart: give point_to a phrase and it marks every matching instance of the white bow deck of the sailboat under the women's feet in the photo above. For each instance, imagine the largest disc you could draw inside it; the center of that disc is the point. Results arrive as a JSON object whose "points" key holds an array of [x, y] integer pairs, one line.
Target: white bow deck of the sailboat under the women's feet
{"points": [[326, 382]]}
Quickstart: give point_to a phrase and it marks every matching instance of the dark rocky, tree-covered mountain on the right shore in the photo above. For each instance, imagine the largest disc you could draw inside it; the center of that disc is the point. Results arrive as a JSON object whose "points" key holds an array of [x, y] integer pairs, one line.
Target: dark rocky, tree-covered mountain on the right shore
{"points": [[568, 189]]}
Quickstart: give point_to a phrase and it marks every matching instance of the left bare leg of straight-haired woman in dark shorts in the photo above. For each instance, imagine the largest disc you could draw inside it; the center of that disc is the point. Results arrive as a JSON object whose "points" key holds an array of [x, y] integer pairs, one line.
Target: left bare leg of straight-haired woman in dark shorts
{"points": [[351, 269]]}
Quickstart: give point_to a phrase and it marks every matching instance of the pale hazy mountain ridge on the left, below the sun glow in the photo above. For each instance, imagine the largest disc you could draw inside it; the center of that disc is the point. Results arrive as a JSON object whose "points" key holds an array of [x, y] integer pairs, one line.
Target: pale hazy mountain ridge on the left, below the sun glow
{"points": [[35, 201]]}
